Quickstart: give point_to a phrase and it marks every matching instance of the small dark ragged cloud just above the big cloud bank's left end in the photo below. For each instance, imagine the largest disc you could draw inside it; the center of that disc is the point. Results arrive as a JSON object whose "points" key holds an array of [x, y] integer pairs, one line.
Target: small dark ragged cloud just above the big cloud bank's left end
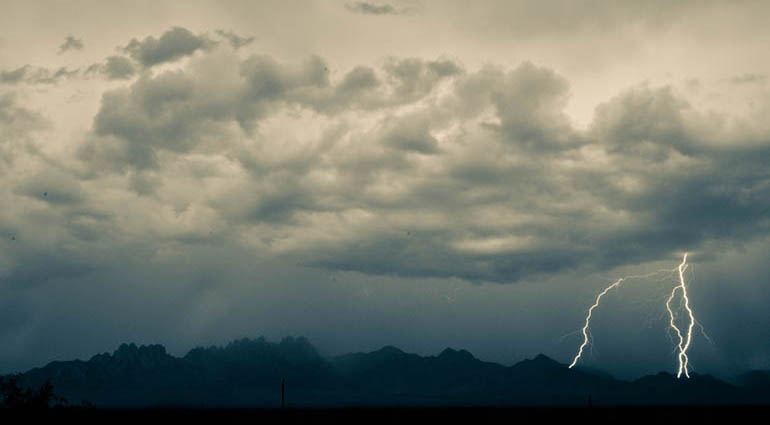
{"points": [[170, 46]]}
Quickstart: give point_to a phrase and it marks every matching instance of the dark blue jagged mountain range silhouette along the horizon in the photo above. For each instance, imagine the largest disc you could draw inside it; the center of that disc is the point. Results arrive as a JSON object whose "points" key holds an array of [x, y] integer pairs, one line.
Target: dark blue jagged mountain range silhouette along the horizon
{"points": [[248, 372]]}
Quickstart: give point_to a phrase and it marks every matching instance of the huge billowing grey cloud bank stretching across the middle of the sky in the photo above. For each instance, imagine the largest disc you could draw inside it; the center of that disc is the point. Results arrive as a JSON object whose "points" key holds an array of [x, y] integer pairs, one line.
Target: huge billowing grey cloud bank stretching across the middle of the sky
{"points": [[443, 172]]}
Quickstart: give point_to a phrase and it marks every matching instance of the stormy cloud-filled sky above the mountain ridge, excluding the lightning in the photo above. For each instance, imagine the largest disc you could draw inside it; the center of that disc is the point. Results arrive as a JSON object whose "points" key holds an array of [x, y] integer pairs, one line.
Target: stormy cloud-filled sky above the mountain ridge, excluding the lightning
{"points": [[424, 174]]}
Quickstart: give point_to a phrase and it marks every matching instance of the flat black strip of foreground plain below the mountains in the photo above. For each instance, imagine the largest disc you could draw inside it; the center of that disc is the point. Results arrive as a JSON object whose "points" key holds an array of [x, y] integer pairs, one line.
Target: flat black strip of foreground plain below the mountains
{"points": [[522, 415]]}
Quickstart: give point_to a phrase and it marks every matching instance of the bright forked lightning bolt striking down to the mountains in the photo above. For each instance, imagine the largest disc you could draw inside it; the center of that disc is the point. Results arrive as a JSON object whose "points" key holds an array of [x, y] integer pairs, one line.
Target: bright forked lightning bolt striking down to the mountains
{"points": [[685, 339]]}
